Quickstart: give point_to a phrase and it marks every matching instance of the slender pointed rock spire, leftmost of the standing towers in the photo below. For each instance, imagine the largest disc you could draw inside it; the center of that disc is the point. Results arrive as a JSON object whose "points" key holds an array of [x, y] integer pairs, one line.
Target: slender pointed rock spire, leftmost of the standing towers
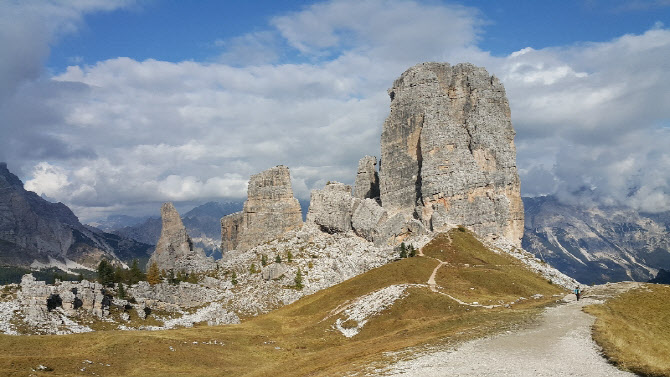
{"points": [[175, 250]]}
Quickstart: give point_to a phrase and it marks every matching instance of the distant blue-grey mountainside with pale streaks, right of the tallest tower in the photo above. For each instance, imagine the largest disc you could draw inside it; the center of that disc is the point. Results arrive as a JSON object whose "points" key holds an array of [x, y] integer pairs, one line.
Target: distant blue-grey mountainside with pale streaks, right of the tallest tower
{"points": [[598, 244]]}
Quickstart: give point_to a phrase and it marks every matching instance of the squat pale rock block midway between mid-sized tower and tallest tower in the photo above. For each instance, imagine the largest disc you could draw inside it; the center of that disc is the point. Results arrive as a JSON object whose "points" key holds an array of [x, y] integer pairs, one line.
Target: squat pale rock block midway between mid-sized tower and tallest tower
{"points": [[330, 209]]}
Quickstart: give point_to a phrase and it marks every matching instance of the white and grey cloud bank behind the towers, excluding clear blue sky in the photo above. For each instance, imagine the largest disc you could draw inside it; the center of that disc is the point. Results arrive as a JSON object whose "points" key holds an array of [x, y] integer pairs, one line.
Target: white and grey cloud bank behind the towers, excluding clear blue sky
{"points": [[309, 92]]}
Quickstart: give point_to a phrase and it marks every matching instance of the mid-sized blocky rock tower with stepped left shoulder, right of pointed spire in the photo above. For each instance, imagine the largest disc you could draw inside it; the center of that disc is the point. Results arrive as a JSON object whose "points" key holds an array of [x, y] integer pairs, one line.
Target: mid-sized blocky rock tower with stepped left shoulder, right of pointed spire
{"points": [[270, 211]]}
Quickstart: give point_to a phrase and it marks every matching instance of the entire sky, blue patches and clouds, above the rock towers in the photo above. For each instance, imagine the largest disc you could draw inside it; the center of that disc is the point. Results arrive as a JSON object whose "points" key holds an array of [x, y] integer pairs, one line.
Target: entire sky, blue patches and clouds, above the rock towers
{"points": [[115, 106]]}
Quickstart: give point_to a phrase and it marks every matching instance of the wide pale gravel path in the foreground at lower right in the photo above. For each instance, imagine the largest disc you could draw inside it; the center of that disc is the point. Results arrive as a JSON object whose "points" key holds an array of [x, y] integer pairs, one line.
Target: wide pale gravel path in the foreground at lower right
{"points": [[560, 345]]}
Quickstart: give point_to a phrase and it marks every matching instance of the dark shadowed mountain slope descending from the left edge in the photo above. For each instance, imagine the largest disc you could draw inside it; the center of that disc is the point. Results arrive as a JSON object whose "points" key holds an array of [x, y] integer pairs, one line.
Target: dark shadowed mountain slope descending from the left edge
{"points": [[37, 233]]}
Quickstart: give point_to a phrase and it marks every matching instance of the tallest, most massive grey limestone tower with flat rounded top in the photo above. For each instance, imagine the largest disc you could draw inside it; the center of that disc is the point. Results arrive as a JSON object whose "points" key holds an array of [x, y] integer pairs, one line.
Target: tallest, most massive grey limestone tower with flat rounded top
{"points": [[448, 154]]}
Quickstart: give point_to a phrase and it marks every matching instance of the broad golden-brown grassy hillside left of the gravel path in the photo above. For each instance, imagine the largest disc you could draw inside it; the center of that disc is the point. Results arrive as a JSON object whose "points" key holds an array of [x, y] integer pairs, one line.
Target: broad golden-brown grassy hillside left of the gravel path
{"points": [[299, 339]]}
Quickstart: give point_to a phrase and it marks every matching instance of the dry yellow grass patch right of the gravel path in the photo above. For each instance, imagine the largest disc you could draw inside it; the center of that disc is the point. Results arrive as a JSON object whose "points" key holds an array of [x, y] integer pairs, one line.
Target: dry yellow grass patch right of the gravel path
{"points": [[634, 329]]}
